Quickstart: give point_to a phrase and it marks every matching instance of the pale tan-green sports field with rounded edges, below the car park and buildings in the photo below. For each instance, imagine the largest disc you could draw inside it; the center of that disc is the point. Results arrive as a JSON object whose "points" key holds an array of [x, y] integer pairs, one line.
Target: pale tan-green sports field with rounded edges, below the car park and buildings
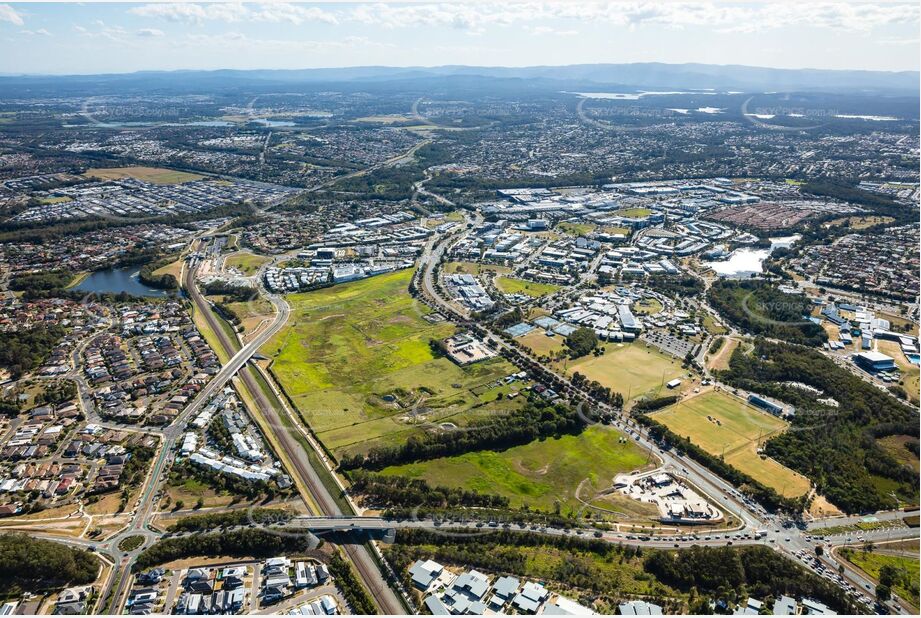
{"points": [[631, 369]]}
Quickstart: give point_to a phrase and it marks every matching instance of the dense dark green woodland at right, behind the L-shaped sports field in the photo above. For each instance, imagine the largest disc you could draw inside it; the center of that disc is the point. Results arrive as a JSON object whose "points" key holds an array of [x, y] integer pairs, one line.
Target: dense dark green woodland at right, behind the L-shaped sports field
{"points": [[834, 446]]}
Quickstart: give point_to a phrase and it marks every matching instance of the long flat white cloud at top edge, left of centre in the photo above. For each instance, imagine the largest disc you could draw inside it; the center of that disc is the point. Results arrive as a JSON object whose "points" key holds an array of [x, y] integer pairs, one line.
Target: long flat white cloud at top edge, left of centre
{"points": [[235, 13]]}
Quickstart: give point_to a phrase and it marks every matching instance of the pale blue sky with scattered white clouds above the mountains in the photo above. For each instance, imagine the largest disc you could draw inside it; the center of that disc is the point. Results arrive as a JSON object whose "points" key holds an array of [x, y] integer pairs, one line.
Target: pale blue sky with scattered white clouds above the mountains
{"points": [[109, 37]]}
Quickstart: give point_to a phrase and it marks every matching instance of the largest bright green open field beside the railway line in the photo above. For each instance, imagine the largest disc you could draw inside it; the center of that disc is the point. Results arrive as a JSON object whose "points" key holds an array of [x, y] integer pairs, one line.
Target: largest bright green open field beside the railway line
{"points": [[355, 358]]}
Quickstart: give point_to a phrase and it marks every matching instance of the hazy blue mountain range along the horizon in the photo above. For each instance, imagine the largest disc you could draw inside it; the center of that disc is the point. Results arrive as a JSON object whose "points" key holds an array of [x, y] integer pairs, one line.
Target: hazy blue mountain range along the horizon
{"points": [[580, 76]]}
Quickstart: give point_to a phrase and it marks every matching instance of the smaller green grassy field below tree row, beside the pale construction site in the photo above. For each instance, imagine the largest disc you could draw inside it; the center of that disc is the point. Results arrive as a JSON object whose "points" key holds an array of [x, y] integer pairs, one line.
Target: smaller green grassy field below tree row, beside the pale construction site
{"points": [[537, 474]]}
